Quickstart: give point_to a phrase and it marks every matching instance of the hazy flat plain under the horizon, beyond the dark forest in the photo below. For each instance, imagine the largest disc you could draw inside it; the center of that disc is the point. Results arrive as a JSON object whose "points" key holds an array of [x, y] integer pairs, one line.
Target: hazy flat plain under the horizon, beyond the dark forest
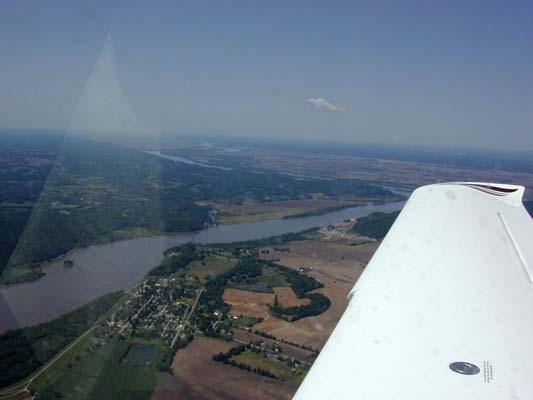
{"points": [[404, 166]]}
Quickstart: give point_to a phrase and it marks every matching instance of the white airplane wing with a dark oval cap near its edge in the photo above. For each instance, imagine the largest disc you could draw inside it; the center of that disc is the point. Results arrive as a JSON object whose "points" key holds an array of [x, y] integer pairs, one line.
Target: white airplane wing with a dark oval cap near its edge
{"points": [[444, 310]]}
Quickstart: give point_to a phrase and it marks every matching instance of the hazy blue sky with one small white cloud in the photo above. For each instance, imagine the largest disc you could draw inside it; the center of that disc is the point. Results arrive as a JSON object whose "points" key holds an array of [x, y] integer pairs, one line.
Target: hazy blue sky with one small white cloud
{"points": [[446, 73]]}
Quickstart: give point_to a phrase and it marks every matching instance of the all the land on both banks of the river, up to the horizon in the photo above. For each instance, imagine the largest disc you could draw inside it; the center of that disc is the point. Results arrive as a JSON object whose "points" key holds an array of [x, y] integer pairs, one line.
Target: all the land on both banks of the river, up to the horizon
{"points": [[251, 315]]}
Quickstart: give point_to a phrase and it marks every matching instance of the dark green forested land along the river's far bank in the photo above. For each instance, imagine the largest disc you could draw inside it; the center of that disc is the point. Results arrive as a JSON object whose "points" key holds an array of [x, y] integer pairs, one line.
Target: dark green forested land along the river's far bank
{"points": [[62, 192]]}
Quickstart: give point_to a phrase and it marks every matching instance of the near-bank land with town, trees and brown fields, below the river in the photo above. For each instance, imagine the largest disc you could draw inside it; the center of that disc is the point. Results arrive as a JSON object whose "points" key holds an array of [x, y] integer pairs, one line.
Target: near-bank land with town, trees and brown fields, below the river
{"points": [[252, 316]]}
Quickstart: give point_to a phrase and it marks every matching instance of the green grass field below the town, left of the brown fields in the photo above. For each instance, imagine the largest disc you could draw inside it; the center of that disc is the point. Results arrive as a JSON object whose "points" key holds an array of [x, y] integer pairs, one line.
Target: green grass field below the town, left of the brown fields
{"points": [[119, 370]]}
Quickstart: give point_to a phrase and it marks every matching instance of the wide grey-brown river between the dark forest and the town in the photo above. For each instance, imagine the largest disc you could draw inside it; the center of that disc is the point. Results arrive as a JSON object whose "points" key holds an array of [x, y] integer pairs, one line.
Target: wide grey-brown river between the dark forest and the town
{"points": [[106, 268]]}
